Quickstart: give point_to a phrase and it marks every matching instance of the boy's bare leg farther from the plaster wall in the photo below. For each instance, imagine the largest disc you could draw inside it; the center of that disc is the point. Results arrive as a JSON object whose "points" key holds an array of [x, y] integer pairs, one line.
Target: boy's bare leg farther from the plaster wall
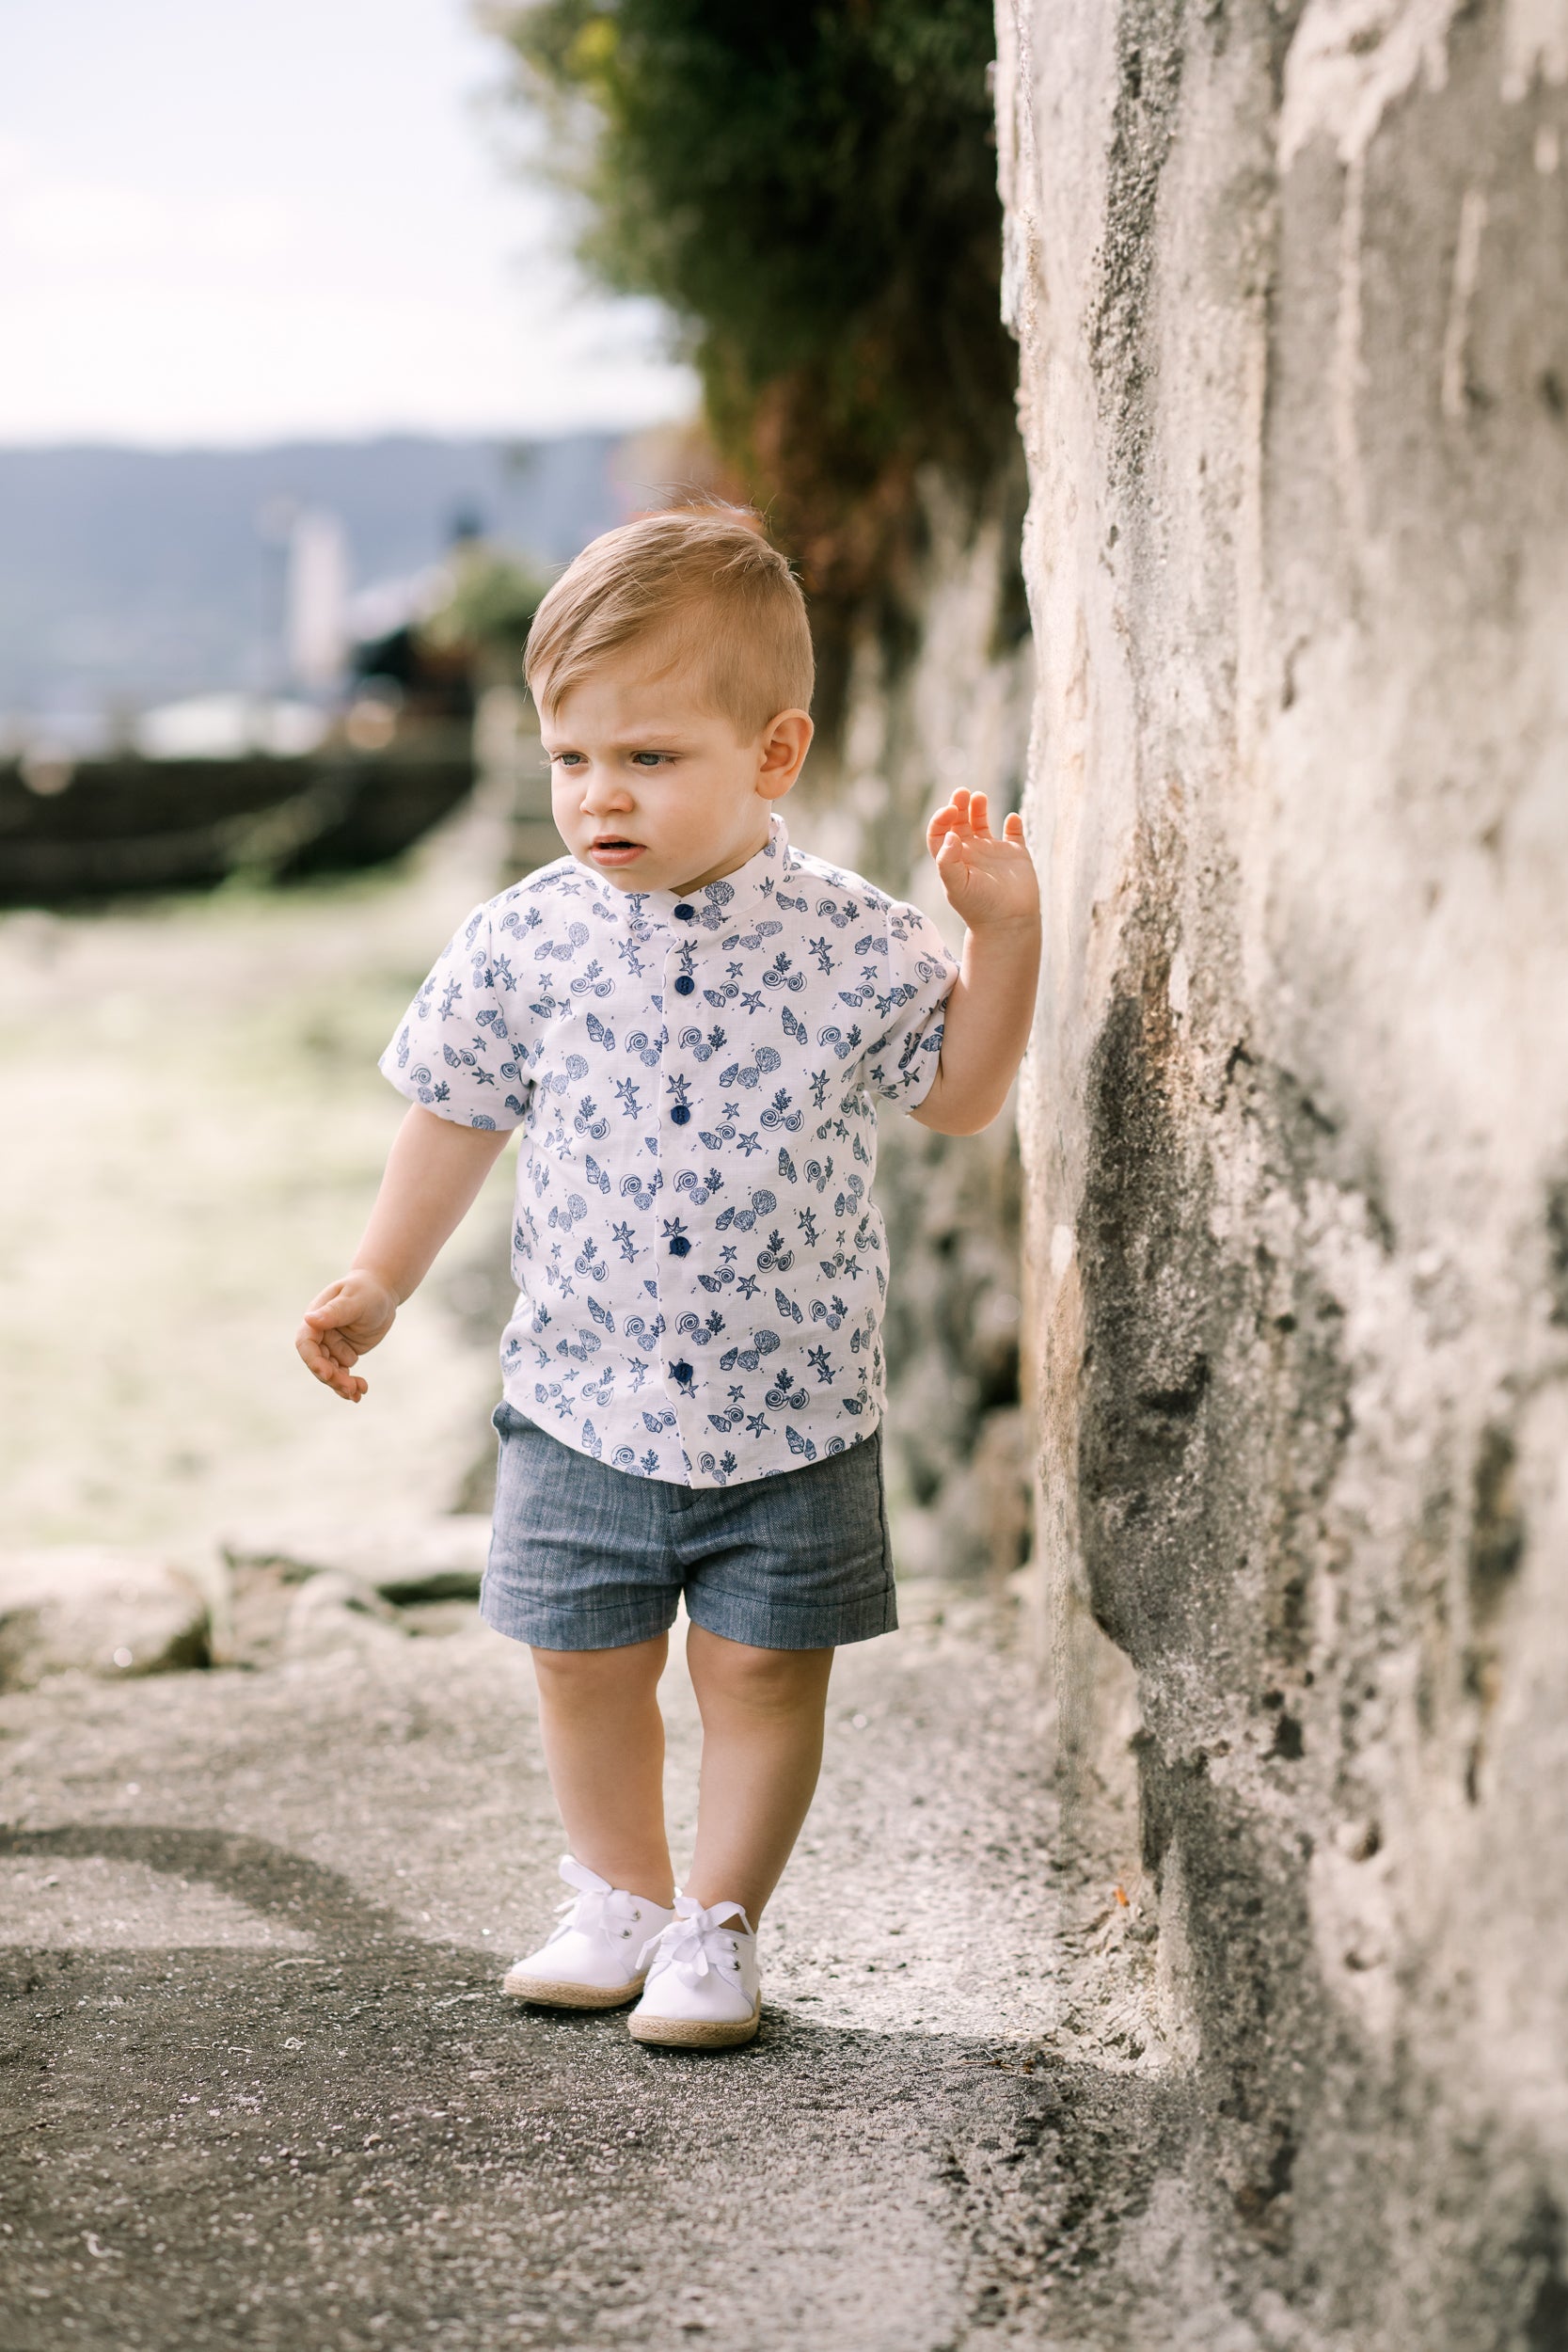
{"points": [[605, 1746]]}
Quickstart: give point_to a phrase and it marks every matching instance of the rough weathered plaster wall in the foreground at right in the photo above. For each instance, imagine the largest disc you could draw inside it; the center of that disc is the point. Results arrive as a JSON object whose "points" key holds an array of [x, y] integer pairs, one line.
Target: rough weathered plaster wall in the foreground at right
{"points": [[1292, 288]]}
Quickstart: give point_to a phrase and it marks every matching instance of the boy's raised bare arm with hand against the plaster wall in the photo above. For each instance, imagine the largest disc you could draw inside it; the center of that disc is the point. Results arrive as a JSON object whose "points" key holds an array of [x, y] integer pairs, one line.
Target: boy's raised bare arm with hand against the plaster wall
{"points": [[991, 883]]}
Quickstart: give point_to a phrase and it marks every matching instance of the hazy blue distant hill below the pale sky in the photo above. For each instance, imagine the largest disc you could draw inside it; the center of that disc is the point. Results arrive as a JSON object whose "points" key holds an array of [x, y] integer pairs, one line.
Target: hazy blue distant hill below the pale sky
{"points": [[140, 575]]}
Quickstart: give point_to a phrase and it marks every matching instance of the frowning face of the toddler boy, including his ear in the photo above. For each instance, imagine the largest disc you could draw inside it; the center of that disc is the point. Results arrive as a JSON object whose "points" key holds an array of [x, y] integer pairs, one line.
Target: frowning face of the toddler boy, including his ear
{"points": [[657, 791]]}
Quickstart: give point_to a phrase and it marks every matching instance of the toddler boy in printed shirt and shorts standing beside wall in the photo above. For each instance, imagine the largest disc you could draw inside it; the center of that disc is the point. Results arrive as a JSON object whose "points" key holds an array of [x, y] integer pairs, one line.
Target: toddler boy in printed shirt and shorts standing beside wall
{"points": [[692, 1024]]}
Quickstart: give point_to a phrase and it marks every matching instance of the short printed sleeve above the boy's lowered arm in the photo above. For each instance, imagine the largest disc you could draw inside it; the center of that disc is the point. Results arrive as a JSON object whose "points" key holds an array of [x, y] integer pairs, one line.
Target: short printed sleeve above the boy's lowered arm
{"points": [[462, 1045]]}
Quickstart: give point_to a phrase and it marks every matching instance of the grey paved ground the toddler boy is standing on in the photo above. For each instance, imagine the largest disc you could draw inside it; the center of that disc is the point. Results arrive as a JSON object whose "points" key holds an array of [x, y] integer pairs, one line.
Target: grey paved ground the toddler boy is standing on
{"points": [[257, 2085]]}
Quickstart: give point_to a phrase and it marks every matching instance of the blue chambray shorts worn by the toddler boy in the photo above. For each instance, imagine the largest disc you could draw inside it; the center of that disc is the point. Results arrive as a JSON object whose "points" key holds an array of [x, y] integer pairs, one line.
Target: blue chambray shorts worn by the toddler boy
{"points": [[591, 1558]]}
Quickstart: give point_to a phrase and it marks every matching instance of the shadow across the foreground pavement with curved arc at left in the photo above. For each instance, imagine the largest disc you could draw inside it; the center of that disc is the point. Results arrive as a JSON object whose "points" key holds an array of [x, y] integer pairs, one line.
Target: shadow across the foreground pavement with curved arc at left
{"points": [[370, 2149]]}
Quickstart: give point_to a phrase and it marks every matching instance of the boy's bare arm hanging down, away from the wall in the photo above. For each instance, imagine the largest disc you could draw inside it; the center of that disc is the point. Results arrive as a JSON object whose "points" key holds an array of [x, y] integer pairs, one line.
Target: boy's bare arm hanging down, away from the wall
{"points": [[431, 1182]]}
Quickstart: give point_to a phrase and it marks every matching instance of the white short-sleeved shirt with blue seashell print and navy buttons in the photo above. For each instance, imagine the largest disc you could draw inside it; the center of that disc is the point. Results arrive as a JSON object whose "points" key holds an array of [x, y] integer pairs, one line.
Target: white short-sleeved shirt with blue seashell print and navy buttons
{"points": [[699, 1262]]}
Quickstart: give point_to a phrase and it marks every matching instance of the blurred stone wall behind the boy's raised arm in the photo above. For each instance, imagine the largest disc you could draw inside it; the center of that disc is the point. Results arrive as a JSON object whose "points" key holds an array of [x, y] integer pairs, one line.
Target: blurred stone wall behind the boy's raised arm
{"points": [[939, 688]]}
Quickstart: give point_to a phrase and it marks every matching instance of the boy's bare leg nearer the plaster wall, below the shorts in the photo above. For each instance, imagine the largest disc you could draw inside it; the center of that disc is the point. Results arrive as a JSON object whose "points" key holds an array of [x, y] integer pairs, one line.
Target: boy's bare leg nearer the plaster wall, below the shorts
{"points": [[763, 1749]]}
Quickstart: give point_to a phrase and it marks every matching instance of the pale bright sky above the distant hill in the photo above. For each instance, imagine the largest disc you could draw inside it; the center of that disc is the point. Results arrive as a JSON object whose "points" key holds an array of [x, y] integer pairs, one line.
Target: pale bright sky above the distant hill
{"points": [[255, 220]]}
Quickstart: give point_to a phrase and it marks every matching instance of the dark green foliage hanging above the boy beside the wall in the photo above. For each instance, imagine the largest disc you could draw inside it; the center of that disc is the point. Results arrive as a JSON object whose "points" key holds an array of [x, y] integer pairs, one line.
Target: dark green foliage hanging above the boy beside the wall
{"points": [[810, 187]]}
